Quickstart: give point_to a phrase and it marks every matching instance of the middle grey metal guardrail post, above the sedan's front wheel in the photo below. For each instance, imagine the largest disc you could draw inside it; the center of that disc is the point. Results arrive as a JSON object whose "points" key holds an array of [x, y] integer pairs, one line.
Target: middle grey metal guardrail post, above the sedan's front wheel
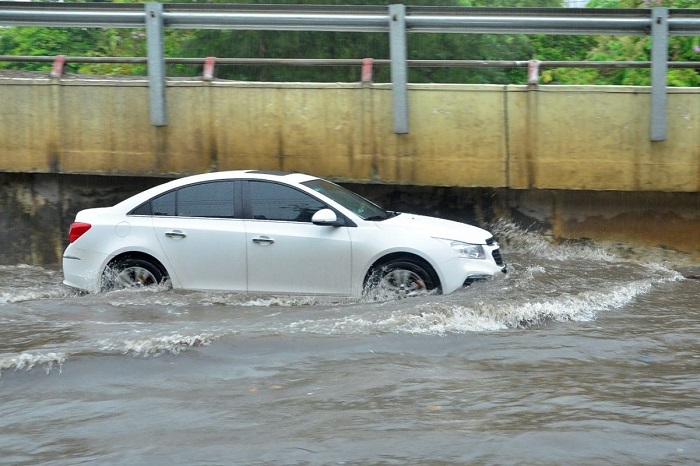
{"points": [[399, 67]]}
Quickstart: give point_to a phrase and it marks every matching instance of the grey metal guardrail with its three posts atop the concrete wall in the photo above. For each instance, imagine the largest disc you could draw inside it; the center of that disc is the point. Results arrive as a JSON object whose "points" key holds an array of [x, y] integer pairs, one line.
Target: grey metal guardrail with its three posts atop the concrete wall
{"points": [[396, 20]]}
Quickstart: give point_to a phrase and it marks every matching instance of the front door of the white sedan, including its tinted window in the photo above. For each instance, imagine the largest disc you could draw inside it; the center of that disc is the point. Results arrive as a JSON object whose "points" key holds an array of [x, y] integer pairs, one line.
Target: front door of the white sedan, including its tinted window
{"points": [[286, 252]]}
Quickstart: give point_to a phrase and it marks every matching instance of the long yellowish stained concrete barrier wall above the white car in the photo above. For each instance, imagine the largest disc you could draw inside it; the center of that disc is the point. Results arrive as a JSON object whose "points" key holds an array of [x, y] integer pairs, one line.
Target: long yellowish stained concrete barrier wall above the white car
{"points": [[551, 137]]}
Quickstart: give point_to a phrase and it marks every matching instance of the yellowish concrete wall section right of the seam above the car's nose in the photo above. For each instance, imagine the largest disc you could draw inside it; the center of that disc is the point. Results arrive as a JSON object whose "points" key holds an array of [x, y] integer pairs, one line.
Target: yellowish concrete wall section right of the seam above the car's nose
{"points": [[597, 138]]}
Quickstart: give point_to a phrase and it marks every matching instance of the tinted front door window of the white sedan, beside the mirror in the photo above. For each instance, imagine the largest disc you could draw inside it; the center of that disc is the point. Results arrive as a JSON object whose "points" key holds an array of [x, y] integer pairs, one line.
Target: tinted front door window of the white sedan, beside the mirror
{"points": [[273, 201]]}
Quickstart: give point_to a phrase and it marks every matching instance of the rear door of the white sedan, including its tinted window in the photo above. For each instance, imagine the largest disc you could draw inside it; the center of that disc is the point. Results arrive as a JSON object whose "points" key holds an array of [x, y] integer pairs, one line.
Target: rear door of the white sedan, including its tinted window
{"points": [[201, 237]]}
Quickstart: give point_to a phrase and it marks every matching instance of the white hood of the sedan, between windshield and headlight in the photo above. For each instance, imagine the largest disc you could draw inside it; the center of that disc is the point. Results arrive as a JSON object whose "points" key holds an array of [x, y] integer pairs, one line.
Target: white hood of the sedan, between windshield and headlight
{"points": [[436, 227]]}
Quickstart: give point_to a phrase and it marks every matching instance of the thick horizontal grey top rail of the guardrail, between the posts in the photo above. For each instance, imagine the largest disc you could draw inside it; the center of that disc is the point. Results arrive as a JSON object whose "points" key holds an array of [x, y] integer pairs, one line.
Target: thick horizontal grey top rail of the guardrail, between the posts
{"points": [[582, 21]]}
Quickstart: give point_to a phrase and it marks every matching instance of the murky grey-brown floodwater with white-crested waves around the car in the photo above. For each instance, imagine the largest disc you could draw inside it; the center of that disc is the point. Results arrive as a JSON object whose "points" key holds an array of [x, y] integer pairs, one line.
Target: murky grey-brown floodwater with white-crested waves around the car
{"points": [[583, 354]]}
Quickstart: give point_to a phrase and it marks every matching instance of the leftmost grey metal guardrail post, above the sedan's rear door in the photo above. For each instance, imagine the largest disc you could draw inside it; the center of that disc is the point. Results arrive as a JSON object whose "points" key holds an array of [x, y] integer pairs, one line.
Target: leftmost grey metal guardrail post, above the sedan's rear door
{"points": [[156, 63]]}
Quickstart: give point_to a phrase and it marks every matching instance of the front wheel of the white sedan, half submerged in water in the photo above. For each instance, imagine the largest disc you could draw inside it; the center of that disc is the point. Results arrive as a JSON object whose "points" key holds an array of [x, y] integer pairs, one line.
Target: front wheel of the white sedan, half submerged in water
{"points": [[400, 278]]}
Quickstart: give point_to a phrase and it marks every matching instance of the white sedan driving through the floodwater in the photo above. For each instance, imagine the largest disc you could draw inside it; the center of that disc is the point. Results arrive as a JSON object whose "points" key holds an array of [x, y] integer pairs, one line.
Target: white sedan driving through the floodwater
{"points": [[270, 233]]}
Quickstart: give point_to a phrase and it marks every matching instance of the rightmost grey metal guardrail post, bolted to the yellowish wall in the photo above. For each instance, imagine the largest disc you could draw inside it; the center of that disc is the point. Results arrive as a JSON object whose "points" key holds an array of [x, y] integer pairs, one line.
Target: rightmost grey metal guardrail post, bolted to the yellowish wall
{"points": [[659, 69]]}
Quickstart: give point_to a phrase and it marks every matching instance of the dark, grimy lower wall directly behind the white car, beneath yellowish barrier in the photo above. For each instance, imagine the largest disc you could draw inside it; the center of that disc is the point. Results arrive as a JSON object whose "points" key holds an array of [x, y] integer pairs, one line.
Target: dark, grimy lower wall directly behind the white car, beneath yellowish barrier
{"points": [[37, 209]]}
